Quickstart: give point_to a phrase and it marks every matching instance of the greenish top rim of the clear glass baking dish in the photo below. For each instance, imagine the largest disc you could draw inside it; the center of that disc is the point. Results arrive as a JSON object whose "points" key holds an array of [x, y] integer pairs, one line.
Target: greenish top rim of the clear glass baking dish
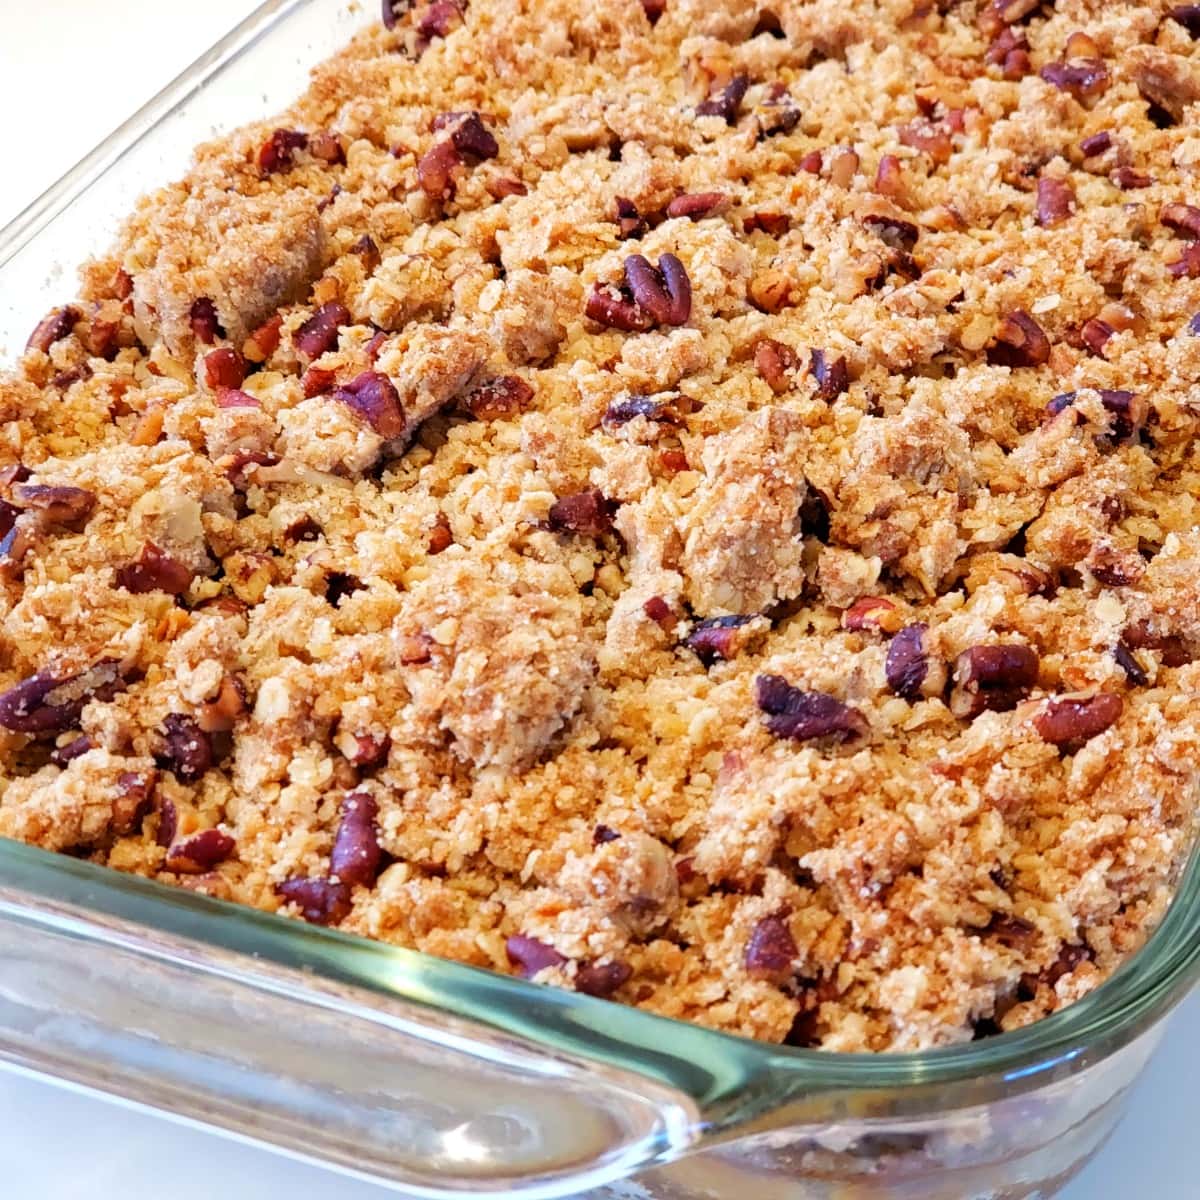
{"points": [[1139, 994]]}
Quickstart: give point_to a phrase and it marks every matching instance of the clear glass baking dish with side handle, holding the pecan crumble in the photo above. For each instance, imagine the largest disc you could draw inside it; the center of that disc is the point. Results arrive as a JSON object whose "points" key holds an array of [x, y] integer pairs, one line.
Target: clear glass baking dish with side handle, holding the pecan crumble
{"points": [[443, 1081]]}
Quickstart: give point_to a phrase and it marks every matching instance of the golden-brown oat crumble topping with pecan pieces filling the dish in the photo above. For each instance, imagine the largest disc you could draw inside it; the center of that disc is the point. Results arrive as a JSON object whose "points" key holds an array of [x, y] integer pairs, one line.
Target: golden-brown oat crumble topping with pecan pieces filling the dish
{"points": [[689, 501]]}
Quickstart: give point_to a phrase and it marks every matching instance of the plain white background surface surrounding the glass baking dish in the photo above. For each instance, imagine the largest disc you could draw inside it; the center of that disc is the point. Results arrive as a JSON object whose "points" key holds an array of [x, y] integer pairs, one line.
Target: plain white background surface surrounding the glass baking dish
{"points": [[70, 71]]}
